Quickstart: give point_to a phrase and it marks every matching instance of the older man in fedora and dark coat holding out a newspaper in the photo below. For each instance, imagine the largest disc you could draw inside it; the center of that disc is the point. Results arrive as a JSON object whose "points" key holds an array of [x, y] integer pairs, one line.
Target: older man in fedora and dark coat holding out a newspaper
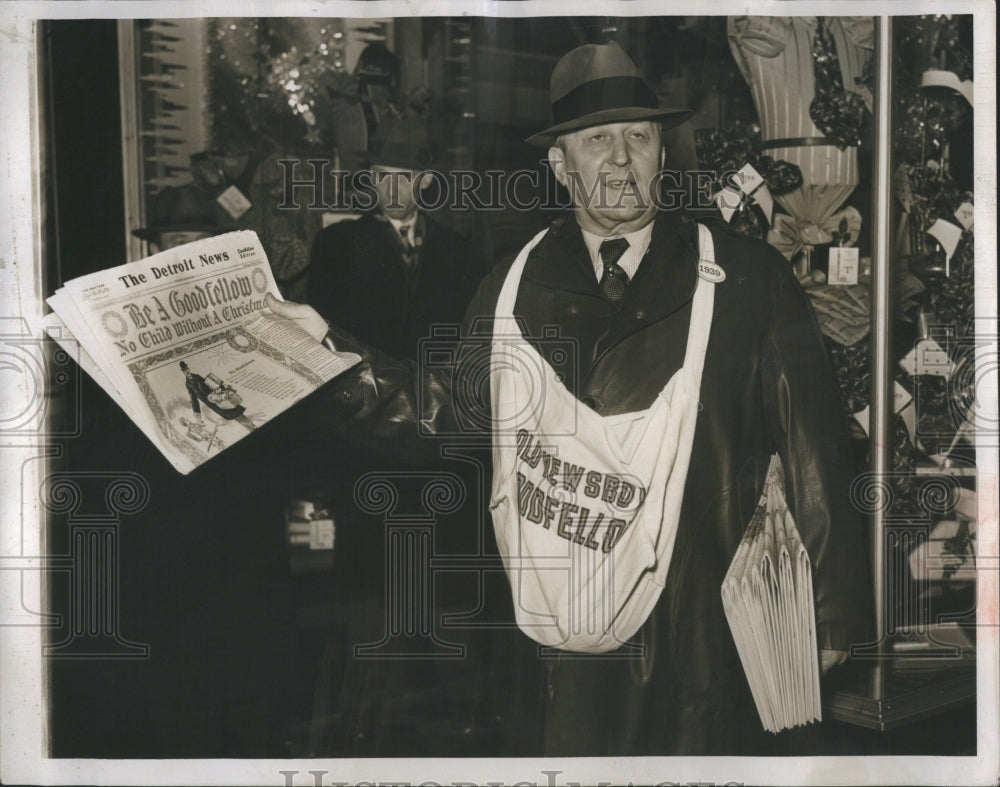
{"points": [[622, 279]]}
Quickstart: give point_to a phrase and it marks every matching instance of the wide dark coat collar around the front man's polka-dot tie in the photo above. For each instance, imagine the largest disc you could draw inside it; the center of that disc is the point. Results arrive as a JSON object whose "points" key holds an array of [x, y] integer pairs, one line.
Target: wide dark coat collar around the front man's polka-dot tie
{"points": [[664, 282]]}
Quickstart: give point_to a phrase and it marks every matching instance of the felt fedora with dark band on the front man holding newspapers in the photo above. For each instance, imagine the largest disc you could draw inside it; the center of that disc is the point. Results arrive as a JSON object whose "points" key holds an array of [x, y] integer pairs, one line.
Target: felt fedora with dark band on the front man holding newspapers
{"points": [[596, 84]]}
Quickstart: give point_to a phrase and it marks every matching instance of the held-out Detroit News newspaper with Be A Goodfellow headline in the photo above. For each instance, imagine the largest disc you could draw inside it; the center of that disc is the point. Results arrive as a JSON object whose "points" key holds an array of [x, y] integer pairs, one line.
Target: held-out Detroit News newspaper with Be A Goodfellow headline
{"points": [[183, 343]]}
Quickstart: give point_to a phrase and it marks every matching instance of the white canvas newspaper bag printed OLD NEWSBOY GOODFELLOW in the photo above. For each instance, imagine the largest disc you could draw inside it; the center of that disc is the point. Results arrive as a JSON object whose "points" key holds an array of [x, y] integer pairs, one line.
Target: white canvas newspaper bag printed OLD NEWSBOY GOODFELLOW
{"points": [[586, 507]]}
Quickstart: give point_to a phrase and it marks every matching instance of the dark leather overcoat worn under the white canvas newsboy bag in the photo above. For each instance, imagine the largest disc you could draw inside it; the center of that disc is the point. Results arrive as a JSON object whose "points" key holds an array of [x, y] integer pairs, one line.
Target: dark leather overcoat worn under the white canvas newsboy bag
{"points": [[767, 387]]}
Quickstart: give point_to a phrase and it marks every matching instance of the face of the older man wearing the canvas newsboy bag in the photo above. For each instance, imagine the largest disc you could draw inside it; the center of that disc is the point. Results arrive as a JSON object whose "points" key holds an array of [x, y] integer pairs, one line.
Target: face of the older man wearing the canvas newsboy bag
{"points": [[610, 173]]}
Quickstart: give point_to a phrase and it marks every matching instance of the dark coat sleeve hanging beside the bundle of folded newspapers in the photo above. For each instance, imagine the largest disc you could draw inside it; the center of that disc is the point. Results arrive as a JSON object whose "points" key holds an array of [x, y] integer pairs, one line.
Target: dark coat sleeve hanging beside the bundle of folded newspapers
{"points": [[807, 426]]}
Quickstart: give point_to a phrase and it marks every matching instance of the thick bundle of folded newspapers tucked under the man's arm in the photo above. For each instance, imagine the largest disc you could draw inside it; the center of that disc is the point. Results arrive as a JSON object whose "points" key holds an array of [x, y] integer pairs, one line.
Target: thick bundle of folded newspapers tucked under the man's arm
{"points": [[767, 596]]}
